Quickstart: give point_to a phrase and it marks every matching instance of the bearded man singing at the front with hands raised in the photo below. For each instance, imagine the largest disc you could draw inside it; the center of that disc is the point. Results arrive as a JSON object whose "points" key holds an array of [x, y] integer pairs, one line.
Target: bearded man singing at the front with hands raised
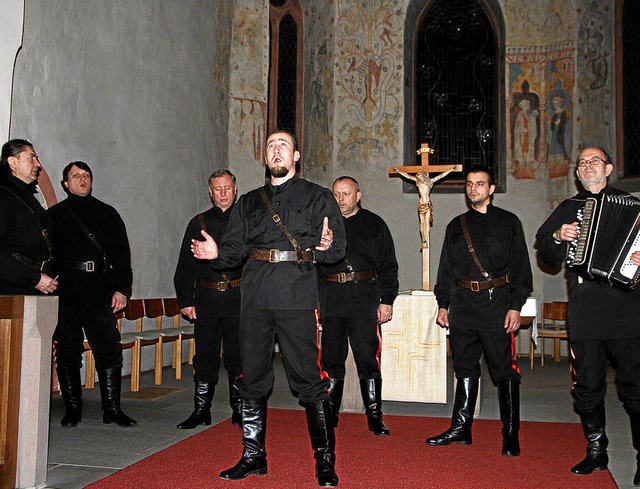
{"points": [[279, 297]]}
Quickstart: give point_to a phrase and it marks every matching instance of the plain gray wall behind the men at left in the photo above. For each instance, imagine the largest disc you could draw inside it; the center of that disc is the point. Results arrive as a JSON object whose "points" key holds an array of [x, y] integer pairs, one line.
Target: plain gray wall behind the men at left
{"points": [[128, 87]]}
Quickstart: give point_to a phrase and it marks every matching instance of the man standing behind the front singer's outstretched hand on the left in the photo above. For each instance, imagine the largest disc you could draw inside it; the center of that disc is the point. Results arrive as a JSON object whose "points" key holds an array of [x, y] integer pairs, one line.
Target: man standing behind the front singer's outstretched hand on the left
{"points": [[212, 299]]}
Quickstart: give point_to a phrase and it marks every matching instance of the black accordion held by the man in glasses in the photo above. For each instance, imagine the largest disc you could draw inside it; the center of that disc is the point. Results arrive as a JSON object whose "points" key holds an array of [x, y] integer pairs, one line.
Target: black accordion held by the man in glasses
{"points": [[608, 233]]}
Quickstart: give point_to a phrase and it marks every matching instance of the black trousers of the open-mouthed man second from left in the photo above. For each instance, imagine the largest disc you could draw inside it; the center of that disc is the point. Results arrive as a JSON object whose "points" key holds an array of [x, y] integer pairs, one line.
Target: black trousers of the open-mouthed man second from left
{"points": [[99, 325]]}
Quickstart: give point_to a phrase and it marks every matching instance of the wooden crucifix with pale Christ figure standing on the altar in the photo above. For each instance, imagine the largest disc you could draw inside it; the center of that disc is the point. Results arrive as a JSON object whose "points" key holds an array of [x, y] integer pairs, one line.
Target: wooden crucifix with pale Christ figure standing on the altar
{"points": [[419, 174]]}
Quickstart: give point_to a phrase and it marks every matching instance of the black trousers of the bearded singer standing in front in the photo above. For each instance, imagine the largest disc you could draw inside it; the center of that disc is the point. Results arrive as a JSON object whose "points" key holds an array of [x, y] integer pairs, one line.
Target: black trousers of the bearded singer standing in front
{"points": [[297, 332]]}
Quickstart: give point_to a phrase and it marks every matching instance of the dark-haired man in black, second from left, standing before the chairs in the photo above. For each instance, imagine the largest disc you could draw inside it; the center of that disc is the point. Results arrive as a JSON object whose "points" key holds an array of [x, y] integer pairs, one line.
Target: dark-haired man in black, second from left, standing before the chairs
{"points": [[92, 257]]}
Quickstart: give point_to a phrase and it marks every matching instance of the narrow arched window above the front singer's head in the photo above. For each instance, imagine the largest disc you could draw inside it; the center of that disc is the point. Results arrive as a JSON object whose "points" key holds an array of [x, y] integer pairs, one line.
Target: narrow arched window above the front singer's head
{"points": [[286, 63]]}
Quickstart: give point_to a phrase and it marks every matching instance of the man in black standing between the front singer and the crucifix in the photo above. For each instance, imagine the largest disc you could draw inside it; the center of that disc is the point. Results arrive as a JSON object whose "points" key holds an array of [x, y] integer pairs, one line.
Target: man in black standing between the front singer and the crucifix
{"points": [[356, 297]]}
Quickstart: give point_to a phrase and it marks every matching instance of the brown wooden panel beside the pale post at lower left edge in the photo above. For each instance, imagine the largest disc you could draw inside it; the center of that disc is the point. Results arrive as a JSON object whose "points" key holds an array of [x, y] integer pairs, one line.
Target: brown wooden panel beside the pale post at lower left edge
{"points": [[11, 318]]}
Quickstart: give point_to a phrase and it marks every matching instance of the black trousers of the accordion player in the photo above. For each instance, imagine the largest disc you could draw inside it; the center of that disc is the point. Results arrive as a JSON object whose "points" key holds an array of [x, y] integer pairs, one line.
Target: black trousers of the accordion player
{"points": [[590, 377]]}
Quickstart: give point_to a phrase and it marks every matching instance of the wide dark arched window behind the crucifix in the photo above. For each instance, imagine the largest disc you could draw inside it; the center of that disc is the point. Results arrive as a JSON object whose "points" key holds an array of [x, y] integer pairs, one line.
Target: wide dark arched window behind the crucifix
{"points": [[458, 84]]}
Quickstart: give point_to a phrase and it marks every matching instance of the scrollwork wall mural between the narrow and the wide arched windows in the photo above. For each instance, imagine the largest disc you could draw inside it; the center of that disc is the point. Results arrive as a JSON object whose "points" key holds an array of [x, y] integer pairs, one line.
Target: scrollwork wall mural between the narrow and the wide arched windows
{"points": [[369, 68]]}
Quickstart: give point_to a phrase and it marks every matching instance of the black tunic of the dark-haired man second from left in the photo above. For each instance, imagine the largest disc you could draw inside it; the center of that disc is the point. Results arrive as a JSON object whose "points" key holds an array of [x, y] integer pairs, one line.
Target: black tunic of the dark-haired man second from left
{"points": [[71, 244]]}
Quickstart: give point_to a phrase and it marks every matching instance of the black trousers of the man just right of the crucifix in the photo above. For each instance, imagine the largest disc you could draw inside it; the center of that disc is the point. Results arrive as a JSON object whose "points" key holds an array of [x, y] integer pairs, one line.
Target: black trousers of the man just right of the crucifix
{"points": [[498, 348]]}
